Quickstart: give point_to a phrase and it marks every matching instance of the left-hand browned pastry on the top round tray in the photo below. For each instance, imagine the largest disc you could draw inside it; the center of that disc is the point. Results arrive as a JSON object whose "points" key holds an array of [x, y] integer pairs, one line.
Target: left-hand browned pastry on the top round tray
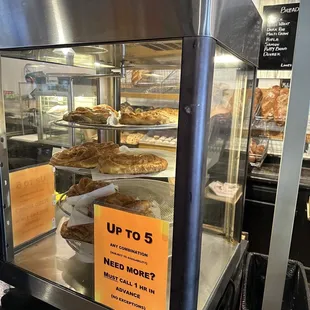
{"points": [[97, 115]]}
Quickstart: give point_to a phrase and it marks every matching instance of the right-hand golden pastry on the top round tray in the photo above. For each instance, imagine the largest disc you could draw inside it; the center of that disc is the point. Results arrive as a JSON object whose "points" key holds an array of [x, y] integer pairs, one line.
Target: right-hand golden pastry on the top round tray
{"points": [[151, 117]]}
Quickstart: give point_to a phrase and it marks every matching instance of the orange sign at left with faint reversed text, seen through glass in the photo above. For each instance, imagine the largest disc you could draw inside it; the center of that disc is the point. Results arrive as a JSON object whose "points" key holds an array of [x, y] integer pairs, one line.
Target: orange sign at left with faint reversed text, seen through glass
{"points": [[33, 211]]}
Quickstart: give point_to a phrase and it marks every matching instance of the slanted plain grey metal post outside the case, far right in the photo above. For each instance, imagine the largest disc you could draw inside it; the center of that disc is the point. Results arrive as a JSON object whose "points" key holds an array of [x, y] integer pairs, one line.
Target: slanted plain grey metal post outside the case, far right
{"points": [[290, 167]]}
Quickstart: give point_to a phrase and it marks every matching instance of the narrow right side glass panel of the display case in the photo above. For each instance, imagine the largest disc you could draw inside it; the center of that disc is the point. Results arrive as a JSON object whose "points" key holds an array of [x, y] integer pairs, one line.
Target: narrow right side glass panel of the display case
{"points": [[226, 165]]}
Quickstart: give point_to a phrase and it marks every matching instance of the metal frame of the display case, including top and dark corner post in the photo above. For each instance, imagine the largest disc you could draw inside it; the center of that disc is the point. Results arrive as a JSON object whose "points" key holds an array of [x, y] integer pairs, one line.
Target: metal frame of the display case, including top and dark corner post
{"points": [[234, 24]]}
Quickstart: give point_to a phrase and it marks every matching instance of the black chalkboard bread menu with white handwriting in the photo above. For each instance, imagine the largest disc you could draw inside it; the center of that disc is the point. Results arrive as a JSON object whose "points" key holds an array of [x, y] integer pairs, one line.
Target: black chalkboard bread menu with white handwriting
{"points": [[278, 37]]}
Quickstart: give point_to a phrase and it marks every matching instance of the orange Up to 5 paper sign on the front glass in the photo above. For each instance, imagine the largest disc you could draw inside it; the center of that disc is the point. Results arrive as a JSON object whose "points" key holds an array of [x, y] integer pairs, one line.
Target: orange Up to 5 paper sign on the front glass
{"points": [[131, 260]]}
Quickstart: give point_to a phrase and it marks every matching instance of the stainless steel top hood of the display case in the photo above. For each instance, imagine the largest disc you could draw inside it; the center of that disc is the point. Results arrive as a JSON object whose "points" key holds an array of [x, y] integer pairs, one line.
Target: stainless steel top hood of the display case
{"points": [[37, 23]]}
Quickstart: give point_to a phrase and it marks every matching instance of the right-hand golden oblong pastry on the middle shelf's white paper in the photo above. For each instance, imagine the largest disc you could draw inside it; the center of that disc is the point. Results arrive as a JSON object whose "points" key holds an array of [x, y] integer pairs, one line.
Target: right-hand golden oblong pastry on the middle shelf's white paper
{"points": [[131, 164]]}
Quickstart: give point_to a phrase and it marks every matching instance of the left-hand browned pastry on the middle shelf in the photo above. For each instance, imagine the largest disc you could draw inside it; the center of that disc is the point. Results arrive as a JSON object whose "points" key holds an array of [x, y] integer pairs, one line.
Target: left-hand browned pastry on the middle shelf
{"points": [[84, 156]]}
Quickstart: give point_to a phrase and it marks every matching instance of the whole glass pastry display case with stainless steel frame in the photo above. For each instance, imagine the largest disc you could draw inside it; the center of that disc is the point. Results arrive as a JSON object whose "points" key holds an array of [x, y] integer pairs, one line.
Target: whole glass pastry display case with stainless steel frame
{"points": [[146, 189]]}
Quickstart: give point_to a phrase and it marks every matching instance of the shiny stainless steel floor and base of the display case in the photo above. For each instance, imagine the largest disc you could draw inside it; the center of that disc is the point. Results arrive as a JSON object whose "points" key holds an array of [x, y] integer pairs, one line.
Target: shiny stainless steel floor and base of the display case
{"points": [[54, 261]]}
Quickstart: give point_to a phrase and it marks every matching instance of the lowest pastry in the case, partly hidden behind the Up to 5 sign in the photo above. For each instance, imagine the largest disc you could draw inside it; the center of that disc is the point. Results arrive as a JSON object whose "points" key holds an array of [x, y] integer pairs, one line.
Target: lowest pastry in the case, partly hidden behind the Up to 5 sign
{"points": [[84, 232]]}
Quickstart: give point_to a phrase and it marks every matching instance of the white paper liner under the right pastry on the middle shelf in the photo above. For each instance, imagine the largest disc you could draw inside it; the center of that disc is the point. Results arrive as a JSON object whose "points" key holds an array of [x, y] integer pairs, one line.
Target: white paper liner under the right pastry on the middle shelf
{"points": [[168, 173]]}
